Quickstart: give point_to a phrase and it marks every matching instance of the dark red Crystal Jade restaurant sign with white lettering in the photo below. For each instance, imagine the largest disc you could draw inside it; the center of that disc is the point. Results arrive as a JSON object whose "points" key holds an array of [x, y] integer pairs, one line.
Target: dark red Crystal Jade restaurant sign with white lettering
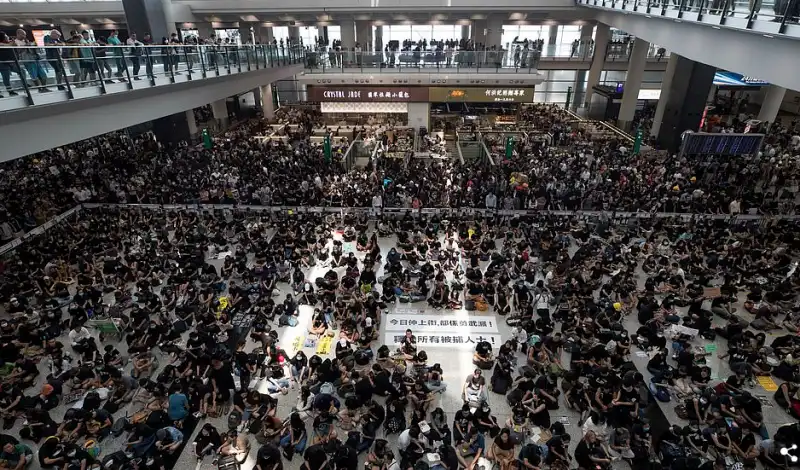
{"points": [[370, 94]]}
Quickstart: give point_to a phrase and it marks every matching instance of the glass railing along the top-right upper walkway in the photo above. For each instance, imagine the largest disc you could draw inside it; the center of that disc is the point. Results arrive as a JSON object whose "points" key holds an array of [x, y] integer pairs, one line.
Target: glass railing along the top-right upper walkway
{"points": [[773, 16]]}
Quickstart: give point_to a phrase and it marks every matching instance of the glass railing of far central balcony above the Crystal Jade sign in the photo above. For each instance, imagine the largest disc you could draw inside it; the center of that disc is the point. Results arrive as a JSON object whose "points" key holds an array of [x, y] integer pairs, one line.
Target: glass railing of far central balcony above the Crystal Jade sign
{"points": [[510, 60]]}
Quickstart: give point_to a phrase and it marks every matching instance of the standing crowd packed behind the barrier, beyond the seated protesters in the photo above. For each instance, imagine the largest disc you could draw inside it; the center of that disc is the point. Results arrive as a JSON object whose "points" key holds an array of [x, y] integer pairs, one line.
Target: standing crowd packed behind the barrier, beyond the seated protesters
{"points": [[567, 171]]}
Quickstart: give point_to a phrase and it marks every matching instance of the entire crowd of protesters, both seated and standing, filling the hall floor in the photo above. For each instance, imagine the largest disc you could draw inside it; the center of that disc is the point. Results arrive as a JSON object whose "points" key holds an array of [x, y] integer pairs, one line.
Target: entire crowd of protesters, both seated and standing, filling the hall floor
{"points": [[130, 333]]}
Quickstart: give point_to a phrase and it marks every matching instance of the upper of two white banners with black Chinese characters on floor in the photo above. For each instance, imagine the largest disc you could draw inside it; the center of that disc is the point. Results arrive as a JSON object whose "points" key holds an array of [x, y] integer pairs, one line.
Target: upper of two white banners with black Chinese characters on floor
{"points": [[442, 323]]}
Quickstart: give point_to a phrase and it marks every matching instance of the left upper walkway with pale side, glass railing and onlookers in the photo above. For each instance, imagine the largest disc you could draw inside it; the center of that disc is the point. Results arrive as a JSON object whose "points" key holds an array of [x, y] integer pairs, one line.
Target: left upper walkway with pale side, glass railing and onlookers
{"points": [[43, 116]]}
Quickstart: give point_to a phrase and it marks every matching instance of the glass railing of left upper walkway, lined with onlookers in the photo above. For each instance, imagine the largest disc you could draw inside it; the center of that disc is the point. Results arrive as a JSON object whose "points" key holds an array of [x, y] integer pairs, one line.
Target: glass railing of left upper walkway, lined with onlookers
{"points": [[45, 75]]}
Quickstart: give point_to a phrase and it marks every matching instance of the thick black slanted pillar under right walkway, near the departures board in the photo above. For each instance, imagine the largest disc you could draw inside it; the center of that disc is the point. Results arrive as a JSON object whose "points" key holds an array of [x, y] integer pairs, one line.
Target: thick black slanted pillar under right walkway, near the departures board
{"points": [[685, 100]]}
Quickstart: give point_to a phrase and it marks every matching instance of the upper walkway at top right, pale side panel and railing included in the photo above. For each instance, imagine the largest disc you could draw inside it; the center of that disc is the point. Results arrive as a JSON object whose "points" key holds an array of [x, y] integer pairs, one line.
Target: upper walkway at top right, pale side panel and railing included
{"points": [[756, 38]]}
